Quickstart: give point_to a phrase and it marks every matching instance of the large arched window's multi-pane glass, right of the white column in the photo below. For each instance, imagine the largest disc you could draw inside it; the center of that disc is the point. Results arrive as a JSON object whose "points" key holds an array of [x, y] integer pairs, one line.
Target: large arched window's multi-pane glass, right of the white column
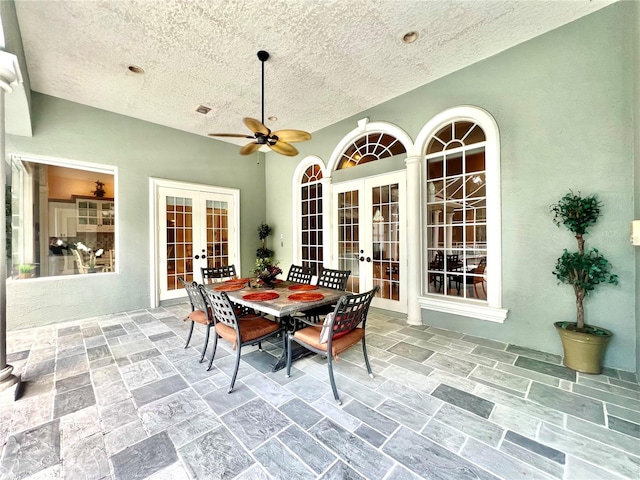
{"points": [[457, 211]]}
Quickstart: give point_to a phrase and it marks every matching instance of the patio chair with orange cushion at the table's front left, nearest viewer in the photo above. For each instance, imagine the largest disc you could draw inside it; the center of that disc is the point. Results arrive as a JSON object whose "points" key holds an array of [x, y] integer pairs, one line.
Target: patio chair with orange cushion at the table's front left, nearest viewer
{"points": [[247, 330]]}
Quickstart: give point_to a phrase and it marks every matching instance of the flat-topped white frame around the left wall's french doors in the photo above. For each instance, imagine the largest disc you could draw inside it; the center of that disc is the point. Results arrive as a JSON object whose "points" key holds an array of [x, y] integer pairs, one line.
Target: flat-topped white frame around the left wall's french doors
{"points": [[154, 227]]}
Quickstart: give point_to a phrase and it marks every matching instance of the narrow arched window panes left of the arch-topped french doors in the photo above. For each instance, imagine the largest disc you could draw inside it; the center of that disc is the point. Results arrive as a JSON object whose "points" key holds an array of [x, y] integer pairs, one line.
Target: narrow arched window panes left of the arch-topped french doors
{"points": [[311, 218]]}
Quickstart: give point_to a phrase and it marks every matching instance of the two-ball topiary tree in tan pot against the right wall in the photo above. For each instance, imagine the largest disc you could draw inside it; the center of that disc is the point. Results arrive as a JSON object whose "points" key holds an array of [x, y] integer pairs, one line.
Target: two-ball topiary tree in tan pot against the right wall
{"points": [[583, 345]]}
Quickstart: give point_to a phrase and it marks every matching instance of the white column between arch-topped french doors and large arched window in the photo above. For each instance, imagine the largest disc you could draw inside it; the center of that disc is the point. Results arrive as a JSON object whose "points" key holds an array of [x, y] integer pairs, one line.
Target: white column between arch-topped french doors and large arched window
{"points": [[414, 250]]}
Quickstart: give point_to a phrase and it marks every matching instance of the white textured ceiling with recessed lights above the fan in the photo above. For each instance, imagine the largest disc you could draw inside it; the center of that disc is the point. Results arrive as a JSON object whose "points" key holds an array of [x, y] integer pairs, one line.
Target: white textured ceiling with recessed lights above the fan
{"points": [[330, 59]]}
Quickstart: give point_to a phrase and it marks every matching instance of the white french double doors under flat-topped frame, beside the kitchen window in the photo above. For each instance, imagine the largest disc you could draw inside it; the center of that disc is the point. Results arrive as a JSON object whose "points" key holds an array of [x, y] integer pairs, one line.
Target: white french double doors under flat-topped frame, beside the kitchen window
{"points": [[196, 228]]}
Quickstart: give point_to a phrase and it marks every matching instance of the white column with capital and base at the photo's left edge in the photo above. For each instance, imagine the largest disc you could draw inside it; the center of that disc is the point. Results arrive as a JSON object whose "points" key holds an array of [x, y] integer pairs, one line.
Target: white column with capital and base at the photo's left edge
{"points": [[9, 77]]}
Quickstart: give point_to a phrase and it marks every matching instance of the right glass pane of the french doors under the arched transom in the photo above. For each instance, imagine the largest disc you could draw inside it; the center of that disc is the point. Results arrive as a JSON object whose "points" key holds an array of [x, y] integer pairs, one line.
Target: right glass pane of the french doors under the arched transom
{"points": [[386, 241]]}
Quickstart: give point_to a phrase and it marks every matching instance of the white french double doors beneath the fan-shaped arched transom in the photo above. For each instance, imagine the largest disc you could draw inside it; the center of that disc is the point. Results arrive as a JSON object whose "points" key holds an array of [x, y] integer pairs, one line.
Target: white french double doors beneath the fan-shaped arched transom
{"points": [[370, 236]]}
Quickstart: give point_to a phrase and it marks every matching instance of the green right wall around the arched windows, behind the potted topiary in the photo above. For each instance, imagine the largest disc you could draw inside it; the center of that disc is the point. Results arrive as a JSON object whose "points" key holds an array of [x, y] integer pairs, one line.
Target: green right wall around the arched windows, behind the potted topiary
{"points": [[564, 105]]}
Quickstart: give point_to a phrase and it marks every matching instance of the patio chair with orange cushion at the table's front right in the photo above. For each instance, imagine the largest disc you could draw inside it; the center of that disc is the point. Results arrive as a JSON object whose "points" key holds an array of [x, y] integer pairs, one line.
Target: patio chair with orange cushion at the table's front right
{"points": [[341, 330]]}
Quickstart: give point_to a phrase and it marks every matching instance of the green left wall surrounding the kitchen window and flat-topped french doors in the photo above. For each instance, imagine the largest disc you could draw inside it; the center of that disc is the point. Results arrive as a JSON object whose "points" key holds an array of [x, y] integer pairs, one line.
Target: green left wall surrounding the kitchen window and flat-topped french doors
{"points": [[139, 150]]}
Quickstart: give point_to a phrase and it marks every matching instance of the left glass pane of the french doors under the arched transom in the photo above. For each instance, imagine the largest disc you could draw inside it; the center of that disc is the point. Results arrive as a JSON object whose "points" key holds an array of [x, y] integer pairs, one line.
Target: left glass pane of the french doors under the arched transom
{"points": [[348, 246]]}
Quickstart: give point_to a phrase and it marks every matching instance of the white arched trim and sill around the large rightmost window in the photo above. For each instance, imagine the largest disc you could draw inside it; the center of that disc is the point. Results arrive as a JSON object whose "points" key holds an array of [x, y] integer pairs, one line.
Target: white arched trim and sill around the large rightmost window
{"points": [[491, 310]]}
